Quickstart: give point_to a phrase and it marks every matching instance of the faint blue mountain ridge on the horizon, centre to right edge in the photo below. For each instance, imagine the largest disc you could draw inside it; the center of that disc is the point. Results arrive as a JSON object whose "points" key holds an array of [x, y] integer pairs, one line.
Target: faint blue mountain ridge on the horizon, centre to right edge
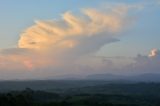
{"points": [[146, 77]]}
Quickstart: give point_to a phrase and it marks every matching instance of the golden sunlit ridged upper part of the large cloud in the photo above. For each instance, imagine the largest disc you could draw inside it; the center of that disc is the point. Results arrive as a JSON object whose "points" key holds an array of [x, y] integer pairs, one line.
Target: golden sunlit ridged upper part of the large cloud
{"points": [[66, 31]]}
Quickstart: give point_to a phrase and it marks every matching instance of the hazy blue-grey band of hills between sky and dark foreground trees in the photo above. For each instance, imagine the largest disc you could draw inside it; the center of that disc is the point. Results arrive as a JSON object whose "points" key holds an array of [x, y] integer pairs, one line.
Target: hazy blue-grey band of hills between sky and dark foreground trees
{"points": [[77, 81]]}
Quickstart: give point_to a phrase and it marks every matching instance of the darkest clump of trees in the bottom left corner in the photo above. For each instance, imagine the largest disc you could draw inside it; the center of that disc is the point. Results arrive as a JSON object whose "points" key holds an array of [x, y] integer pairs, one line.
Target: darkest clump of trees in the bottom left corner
{"points": [[27, 97]]}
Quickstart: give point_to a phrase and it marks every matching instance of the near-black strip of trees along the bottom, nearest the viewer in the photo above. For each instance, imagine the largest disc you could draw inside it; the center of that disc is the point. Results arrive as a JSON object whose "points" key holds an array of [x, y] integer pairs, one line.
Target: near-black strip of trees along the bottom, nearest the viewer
{"points": [[29, 97]]}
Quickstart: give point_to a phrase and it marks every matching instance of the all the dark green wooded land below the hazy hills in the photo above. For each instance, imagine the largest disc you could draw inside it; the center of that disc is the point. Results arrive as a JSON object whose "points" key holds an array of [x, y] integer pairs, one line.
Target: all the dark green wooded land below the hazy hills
{"points": [[90, 94]]}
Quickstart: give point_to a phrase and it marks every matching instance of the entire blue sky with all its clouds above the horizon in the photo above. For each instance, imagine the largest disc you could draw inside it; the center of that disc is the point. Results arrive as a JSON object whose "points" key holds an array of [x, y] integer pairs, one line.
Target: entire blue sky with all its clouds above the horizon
{"points": [[47, 38]]}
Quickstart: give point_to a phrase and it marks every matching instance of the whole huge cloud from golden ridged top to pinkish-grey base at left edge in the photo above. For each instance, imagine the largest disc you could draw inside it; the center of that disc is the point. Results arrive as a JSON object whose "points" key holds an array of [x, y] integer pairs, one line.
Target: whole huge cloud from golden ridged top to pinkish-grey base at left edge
{"points": [[62, 45]]}
